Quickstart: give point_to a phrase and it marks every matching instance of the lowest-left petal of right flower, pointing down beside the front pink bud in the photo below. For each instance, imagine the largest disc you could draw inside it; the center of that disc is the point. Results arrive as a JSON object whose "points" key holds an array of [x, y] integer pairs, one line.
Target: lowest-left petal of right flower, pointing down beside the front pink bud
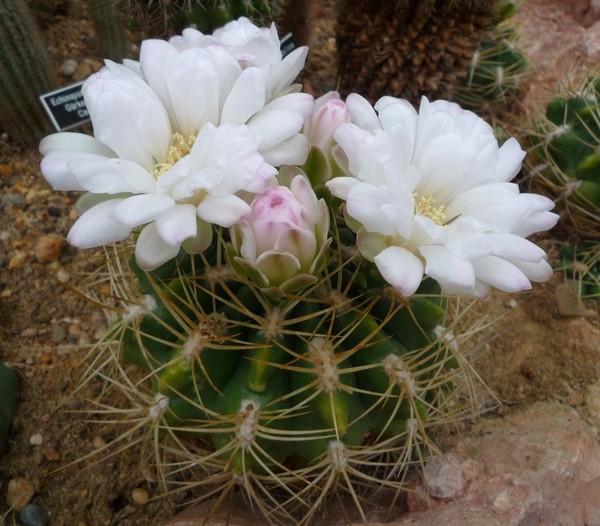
{"points": [[401, 269]]}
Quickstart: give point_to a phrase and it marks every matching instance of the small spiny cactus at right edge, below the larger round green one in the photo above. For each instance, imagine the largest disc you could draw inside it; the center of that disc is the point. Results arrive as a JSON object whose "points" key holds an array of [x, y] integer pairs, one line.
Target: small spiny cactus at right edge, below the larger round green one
{"points": [[580, 264]]}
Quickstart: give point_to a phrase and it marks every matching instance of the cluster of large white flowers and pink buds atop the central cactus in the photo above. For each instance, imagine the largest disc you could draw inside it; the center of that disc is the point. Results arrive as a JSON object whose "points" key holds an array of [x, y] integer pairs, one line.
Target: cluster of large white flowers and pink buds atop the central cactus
{"points": [[198, 133]]}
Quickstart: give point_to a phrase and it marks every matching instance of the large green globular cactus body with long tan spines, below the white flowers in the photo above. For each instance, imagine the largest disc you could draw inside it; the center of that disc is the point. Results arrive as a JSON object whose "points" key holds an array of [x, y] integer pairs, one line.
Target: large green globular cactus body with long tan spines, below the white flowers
{"points": [[342, 385]]}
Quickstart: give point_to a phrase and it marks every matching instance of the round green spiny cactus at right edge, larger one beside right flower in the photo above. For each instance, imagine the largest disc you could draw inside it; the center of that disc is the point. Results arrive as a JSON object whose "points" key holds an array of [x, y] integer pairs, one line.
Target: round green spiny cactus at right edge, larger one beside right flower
{"points": [[564, 160]]}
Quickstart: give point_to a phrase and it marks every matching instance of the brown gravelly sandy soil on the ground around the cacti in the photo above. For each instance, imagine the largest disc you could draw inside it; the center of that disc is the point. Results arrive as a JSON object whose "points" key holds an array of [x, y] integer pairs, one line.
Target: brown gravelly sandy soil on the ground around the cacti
{"points": [[533, 352]]}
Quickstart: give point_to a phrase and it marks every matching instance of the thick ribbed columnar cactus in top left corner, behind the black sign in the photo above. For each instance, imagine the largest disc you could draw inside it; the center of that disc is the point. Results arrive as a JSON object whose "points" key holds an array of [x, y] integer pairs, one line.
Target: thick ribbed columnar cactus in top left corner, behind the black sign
{"points": [[25, 74]]}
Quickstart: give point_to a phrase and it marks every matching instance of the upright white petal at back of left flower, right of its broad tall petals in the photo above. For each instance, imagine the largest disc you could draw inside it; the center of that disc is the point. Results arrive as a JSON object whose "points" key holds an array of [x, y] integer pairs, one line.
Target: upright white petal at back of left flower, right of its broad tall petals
{"points": [[246, 98]]}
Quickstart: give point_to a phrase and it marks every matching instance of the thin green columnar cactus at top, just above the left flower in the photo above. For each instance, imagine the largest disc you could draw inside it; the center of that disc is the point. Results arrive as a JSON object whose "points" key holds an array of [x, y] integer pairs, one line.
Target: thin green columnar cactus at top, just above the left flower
{"points": [[110, 32]]}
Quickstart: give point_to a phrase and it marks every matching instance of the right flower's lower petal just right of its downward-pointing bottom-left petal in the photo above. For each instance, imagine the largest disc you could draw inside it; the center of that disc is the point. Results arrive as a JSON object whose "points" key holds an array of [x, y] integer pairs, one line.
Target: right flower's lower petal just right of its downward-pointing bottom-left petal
{"points": [[446, 268]]}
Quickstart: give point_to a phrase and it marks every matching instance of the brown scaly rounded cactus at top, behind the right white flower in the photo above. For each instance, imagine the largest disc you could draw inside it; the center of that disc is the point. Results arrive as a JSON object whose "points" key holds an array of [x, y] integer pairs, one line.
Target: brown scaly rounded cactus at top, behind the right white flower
{"points": [[408, 48]]}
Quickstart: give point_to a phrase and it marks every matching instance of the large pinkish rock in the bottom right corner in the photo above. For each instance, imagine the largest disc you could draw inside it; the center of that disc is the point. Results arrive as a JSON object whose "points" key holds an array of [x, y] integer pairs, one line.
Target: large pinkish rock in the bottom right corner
{"points": [[539, 466]]}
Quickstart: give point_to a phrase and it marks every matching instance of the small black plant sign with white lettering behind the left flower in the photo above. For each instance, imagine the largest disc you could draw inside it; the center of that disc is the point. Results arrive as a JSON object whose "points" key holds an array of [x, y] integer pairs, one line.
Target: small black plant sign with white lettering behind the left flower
{"points": [[66, 107]]}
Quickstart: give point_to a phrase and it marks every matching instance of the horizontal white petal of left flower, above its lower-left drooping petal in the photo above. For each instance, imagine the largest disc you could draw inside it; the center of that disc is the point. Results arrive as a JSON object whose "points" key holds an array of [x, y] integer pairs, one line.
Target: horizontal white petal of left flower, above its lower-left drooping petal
{"points": [[112, 176]]}
